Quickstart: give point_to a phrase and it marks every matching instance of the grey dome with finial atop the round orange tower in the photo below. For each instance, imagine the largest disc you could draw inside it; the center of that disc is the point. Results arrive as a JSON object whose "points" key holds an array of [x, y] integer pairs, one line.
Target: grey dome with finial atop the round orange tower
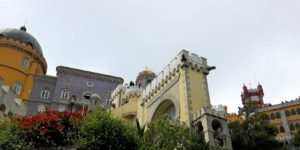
{"points": [[21, 35]]}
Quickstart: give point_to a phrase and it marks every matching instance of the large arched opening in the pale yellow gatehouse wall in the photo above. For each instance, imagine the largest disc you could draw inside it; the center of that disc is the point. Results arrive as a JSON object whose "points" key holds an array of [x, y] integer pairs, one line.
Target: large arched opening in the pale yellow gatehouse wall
{"points": [[166, 107]]}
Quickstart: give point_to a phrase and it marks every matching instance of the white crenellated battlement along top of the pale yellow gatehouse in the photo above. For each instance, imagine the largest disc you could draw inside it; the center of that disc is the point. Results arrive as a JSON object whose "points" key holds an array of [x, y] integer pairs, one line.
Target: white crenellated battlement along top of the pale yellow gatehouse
{"points": [[162, 77]]}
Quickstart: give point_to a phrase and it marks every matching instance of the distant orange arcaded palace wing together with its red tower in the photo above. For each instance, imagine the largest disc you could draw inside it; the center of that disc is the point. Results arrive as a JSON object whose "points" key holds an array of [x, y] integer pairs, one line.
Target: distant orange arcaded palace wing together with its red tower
{"points": [[284, 116]]}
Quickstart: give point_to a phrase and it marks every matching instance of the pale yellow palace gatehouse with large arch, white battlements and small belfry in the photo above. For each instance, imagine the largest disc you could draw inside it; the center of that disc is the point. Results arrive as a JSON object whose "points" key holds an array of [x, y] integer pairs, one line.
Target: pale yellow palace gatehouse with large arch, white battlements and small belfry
{"points": [[180, 91]]}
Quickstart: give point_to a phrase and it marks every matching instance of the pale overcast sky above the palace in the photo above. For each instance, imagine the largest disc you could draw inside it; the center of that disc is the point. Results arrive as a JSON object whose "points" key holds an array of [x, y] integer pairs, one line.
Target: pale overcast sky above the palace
{"points": [[248, 41]]}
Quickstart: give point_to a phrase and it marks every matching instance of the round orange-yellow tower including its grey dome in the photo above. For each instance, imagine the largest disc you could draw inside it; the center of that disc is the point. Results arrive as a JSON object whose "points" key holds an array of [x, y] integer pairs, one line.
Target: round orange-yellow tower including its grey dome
{"points": [[21, 57]]}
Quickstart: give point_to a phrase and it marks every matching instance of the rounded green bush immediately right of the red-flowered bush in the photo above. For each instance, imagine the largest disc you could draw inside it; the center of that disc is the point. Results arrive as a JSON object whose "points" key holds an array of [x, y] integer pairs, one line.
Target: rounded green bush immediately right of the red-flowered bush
{"points": [[102, 131]]}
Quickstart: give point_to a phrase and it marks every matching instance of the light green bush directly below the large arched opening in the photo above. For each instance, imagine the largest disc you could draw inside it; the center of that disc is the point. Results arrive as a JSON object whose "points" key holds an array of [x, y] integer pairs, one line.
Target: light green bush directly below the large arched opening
{"points": [[161, 135]]}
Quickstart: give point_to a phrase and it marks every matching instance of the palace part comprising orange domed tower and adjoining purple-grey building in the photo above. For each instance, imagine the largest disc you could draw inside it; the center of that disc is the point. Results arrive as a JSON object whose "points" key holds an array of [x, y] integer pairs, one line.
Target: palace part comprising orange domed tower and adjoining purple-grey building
{"points": [[25, 89]]}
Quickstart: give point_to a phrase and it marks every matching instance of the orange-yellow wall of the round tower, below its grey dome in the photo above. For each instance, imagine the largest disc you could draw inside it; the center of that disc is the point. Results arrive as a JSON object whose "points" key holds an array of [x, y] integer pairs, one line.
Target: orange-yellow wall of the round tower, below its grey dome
{"points": [[11, 69]]}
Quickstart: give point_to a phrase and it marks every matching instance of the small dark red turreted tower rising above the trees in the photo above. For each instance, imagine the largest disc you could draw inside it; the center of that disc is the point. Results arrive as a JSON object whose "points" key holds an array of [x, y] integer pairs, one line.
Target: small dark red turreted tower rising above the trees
{"points": [[253, 95]]}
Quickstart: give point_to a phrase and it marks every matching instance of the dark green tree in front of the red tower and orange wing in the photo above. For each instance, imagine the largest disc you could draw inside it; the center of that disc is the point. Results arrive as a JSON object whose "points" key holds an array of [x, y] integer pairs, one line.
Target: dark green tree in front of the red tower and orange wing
{"points": [[255, 132]]}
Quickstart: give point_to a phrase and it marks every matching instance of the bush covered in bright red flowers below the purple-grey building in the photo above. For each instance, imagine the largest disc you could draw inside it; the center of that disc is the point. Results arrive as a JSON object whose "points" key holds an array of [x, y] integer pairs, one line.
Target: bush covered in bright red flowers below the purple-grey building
{"points": [[49, 129]]}
